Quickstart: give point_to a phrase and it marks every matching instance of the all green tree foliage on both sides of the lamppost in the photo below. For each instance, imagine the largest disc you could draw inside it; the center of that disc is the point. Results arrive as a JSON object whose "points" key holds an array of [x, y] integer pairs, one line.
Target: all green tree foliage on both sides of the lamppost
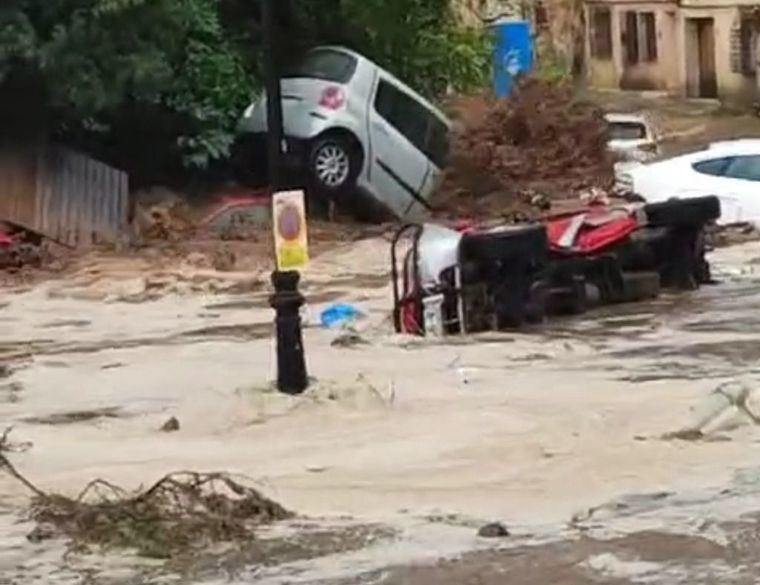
{"points": [[153, 84]]}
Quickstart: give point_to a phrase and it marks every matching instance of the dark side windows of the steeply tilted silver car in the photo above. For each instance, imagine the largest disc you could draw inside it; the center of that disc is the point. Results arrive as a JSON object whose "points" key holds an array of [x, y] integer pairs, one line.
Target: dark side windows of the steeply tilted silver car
{"points": [[413, 120]]}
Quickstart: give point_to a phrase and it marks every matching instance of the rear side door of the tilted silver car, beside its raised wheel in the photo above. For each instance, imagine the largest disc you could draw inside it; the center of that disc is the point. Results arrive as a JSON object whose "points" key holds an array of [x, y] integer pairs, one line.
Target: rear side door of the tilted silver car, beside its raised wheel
{"points": [[398, 128]]}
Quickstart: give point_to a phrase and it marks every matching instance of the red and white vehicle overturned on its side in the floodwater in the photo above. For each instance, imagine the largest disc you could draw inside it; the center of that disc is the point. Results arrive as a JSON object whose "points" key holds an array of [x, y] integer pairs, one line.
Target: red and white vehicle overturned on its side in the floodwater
{"points": [[474, 278]]}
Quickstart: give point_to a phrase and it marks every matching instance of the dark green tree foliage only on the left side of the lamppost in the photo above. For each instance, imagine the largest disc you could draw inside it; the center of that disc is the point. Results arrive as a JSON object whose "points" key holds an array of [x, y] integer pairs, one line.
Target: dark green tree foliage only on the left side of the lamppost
{"points": [[101, 60]]}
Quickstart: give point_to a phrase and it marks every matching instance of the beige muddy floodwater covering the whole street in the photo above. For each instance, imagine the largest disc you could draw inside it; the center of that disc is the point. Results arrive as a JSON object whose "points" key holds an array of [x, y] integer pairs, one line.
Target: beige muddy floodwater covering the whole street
{"points": [[404, 447]]}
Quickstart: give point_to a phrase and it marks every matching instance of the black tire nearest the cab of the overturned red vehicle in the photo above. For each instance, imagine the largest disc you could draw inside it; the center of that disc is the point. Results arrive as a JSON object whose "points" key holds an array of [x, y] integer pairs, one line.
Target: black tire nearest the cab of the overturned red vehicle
{"points": [[509, 243]]}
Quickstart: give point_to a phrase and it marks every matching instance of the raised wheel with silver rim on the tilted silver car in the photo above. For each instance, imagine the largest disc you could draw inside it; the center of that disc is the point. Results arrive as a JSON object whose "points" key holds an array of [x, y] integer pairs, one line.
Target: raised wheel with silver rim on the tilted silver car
{"points": [[339, 180]]}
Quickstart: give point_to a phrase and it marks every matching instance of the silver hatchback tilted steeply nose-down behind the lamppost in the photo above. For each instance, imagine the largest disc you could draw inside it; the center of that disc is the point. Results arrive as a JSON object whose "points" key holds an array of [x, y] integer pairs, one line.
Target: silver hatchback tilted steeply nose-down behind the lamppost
{"points": [[363, 137]]}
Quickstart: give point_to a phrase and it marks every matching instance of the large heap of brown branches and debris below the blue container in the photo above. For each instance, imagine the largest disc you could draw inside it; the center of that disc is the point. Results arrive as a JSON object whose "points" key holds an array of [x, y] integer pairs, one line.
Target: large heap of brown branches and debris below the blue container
{"points": [[542, 140]]}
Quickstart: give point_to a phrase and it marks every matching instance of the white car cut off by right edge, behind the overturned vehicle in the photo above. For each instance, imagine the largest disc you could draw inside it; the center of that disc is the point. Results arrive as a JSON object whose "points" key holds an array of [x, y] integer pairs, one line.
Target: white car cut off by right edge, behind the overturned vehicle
{"points": [[729, 170]]}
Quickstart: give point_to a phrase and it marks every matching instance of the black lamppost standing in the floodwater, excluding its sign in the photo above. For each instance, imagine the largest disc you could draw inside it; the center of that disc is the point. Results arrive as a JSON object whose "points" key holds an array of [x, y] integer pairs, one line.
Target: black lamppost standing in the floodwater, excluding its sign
{"points": [[286, 300]]}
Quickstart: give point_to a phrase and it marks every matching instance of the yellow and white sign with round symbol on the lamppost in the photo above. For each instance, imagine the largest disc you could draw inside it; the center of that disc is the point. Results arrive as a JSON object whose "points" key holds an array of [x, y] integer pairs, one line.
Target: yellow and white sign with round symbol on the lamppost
{"points": [[291, 244]]}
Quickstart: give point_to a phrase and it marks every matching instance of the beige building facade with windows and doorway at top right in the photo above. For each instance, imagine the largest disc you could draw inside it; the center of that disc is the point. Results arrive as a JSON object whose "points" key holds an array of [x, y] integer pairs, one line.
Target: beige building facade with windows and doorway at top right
{"points": [[694, 48]]}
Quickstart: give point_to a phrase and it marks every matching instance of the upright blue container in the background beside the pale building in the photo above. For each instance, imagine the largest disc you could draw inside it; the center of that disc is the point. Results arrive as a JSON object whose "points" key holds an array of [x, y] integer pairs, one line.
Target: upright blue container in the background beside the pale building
{"points": [[513, 54]]}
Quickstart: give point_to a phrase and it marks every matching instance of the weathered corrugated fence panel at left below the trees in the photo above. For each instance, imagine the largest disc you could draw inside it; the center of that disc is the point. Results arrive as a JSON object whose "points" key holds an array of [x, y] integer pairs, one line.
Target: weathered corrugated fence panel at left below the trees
{"points": [[64, 195]]}
